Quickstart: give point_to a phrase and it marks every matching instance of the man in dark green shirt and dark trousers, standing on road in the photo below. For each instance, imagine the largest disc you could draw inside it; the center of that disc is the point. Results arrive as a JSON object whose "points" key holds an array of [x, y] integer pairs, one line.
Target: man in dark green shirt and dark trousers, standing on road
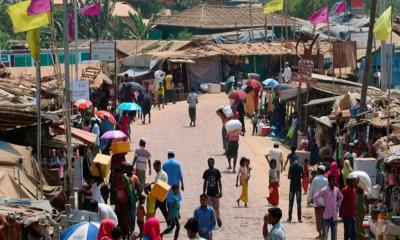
{"points": [[295, 175]]}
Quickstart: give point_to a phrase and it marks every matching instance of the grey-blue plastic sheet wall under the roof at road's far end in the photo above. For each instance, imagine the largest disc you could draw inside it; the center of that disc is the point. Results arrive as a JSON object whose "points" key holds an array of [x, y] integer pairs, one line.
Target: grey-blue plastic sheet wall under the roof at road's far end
{"points": [[205, 71]]}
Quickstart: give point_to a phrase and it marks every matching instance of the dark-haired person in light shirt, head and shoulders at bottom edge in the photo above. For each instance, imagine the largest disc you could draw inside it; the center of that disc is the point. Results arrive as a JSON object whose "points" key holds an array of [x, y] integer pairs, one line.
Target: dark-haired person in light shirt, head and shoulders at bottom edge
{"points": [[273, 217]]}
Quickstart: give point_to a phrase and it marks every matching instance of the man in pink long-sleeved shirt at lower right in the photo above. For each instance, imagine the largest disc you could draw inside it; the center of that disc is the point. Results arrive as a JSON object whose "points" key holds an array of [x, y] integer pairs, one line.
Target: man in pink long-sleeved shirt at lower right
{"points": [[332, 198]]}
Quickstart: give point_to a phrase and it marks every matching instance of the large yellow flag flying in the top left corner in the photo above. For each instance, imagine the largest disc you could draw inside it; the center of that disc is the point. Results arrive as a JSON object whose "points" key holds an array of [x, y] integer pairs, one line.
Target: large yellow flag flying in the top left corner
{"points": [[22, 22]]}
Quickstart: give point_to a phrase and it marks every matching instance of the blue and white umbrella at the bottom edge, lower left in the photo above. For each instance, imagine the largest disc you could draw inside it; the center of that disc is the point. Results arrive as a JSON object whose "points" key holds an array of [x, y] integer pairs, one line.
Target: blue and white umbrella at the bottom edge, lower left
{"points": [[81, 231]]}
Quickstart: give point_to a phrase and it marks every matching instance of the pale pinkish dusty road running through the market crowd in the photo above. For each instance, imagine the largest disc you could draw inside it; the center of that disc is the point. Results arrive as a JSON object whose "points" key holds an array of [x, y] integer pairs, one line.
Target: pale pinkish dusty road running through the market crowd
{"points": [[193, 146]]}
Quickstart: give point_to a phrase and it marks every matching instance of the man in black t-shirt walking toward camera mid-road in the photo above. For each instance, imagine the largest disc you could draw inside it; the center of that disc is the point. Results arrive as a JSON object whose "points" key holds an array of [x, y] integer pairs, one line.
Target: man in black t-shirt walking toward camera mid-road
{"points": [[212, 186]]}
